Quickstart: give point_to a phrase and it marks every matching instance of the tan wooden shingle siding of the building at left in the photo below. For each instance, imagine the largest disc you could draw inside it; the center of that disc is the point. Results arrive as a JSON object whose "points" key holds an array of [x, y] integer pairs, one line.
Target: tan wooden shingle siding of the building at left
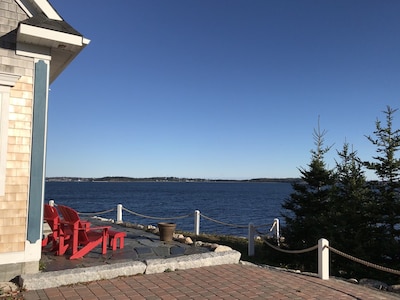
{"points": [[13, 204]]}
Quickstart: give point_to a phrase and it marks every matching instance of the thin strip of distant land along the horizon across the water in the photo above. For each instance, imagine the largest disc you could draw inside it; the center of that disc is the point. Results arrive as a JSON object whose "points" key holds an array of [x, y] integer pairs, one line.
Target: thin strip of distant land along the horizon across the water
{"points": [[163, 179]]}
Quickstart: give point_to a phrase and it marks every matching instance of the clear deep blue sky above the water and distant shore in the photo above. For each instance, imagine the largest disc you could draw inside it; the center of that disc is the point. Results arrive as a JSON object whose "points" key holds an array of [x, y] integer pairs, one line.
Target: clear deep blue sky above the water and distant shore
{"points": [[220, 89]]}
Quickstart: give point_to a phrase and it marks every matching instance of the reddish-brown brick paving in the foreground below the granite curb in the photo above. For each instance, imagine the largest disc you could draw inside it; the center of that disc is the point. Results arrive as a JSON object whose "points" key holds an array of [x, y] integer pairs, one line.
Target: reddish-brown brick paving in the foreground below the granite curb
{"points": [[215, 282]]}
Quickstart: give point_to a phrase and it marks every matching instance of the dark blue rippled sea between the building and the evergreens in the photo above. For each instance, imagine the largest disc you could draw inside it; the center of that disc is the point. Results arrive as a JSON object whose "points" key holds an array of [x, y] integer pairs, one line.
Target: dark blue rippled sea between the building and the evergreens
{"points": [[233, 203]]}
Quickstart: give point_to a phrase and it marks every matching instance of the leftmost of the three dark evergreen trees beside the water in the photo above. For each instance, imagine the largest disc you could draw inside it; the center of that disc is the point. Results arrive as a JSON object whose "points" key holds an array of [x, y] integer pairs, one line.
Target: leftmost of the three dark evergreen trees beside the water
{"points": [[306, 209]]}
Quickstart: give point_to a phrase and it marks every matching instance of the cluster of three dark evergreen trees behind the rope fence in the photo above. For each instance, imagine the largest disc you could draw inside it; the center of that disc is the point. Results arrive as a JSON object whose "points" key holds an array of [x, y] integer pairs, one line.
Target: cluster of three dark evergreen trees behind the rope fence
{"points": [[357, 216]]}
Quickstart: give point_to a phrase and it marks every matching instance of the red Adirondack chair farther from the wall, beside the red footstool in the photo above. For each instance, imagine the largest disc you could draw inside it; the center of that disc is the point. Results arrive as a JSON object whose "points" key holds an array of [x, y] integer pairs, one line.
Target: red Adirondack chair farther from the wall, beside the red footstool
{"points": [[84, 238]]}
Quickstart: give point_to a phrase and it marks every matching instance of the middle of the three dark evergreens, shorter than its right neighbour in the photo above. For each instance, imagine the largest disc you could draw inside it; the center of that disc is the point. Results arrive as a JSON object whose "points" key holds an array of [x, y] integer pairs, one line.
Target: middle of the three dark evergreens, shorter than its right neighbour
{"points": [[352, 215]]}
